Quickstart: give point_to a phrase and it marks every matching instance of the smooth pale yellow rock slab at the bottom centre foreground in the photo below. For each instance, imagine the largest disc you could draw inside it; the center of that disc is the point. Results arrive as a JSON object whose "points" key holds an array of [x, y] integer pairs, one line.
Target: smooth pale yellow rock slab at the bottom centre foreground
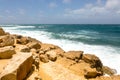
{"points": [[58, 72]]}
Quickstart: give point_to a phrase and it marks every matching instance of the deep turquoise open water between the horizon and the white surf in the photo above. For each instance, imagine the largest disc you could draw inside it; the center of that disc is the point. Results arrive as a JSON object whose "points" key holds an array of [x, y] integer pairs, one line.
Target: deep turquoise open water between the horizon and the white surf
{"points": [[89, 34]]}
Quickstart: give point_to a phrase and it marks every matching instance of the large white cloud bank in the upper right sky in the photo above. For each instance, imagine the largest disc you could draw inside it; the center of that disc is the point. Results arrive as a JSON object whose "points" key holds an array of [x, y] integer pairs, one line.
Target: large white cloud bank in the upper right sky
{"points": [[110, 7]]}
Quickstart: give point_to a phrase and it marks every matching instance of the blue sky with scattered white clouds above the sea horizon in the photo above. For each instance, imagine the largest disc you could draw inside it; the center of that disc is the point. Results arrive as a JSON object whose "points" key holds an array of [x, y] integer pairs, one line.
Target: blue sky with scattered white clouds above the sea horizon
{"points": [[59, 11]]}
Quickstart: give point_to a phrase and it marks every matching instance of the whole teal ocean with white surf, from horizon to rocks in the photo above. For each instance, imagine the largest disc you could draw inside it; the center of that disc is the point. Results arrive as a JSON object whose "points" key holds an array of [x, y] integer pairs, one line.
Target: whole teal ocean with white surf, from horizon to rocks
{"points": [[102, 40]]}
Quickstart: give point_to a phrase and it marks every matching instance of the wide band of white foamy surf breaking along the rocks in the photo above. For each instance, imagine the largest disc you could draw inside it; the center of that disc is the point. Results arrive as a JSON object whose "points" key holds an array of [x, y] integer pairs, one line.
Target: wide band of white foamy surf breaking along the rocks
{"points": [[108, 54]]}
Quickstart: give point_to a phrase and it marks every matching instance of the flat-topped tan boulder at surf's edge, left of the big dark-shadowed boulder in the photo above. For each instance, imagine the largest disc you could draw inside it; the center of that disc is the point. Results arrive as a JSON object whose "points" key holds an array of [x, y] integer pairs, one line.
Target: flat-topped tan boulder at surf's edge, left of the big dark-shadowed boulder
{"points": [[74, 55]]}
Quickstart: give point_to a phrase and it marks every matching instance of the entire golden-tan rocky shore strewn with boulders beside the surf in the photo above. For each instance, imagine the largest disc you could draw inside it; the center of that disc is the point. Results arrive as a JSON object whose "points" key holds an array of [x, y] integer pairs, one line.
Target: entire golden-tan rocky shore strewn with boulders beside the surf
{"points": [[25, 58]]}
